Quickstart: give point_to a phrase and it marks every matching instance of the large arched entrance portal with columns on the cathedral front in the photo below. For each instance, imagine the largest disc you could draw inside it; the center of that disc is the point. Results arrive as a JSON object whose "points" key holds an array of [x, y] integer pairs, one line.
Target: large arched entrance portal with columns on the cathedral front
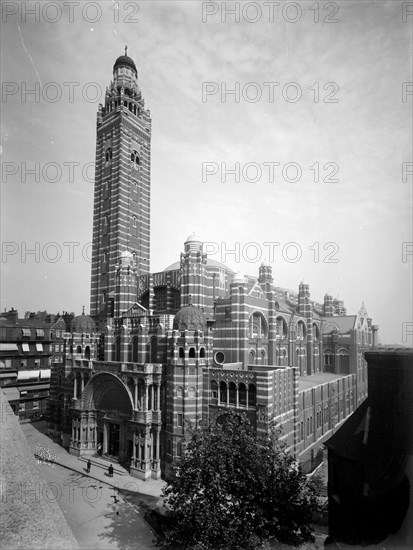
{"points": [[106, 407]]}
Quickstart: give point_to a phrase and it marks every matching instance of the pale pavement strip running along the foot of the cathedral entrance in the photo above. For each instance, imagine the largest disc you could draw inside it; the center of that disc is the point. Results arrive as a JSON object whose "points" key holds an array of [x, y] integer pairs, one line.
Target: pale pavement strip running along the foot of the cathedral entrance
{"points": [[48, 450]]}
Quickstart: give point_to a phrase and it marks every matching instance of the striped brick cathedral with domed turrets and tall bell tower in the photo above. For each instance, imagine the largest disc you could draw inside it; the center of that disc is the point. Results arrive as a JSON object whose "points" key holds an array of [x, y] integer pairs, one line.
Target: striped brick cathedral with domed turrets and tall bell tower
{"points": [[161, 351]]}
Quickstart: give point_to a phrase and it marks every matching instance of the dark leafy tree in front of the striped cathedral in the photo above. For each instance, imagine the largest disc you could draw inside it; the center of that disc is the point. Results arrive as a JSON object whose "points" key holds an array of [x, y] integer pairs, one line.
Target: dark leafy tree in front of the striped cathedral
{"points": [[231, 491]]}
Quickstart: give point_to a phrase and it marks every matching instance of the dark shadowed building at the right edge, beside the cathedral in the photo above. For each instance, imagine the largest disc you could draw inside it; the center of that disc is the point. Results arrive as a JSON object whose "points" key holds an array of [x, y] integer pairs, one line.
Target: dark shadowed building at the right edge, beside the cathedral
{"points": [[370, 459]]}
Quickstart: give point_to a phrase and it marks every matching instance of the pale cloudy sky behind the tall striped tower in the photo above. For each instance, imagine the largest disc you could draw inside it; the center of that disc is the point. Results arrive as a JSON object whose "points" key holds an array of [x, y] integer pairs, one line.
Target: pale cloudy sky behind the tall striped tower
{"points": [[319, 131]]}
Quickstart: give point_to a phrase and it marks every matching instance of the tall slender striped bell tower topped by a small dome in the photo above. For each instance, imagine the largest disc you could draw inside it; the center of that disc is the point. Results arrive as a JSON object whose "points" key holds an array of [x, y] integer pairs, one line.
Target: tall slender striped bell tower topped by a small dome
{"points": [[122, 184]]}
